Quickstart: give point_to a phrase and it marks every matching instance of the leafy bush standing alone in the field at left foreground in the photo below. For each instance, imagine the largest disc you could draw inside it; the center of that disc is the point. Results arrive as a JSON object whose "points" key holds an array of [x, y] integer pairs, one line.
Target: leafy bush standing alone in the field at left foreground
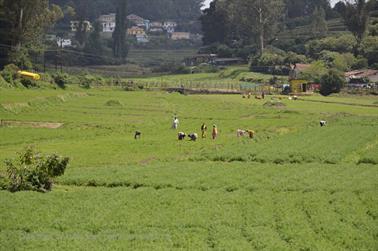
{"points": [[33, 171]]}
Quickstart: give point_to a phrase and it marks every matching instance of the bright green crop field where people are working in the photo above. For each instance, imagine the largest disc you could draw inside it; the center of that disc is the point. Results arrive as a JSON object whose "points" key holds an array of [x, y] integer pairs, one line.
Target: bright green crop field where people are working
{"points": [[296, 186]]}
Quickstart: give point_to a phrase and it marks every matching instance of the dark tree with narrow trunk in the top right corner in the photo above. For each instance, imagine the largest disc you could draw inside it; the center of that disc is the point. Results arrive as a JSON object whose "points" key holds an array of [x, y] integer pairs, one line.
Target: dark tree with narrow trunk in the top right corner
{"points": [[356, 17]]}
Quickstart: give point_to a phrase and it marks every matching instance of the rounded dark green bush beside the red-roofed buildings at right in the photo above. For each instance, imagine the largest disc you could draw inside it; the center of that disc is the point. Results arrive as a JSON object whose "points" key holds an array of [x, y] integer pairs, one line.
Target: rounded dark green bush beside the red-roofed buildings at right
{"points": [[332, 82]]}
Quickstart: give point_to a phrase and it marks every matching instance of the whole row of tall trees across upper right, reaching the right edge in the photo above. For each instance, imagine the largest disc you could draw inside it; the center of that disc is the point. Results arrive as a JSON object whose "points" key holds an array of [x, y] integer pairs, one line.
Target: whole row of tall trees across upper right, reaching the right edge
{"points": [[257, 22]]}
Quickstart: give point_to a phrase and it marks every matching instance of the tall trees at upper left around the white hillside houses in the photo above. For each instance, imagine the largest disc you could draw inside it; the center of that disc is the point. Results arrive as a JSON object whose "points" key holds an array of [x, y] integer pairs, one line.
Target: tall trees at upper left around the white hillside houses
{"points": [[24, 23]]}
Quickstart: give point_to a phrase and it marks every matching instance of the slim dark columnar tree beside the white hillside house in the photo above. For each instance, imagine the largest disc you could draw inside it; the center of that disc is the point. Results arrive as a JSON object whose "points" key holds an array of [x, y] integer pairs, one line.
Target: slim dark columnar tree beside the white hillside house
{"points": [[120, 48]]}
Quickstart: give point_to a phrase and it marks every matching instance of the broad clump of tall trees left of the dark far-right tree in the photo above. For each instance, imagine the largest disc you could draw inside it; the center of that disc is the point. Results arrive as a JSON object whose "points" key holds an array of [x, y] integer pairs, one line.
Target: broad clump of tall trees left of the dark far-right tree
{"points": [[255, 21]]}
